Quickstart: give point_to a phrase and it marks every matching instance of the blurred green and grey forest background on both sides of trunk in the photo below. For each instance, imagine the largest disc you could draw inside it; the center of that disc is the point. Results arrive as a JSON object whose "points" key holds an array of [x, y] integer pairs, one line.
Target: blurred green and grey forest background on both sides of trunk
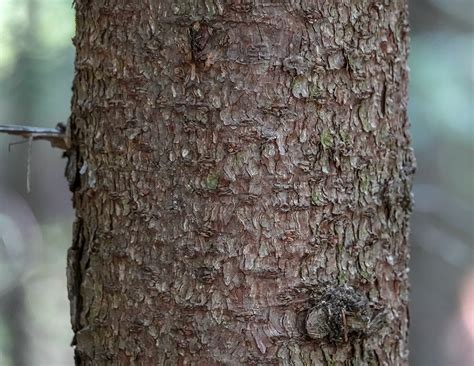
{"points": [[36, 70]]}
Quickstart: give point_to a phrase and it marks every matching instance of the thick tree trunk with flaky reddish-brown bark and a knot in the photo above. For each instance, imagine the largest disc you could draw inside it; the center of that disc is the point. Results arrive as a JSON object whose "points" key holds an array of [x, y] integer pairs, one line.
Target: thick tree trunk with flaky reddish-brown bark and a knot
{"points": [[241, 174]]}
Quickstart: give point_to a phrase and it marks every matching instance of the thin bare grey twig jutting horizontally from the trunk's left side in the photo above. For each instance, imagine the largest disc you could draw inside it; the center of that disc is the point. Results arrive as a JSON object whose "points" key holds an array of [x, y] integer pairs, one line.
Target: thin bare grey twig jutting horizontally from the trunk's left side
{"points": [[56, 136]]}
